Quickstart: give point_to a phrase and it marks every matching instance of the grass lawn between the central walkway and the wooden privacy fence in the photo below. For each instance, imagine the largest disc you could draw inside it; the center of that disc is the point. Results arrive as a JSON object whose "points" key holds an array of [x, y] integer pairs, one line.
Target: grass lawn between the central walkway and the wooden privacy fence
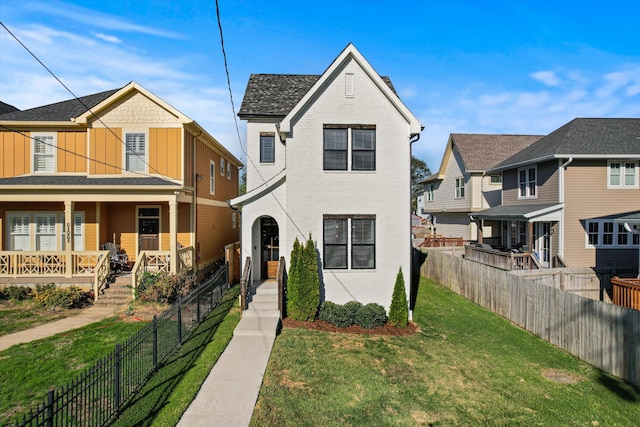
{"points": [[467, 366]]}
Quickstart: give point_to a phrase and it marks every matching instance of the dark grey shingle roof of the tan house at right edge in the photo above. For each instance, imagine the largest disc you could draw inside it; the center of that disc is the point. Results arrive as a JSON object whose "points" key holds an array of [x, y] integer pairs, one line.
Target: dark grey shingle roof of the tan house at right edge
{"points": [[600, 137]]}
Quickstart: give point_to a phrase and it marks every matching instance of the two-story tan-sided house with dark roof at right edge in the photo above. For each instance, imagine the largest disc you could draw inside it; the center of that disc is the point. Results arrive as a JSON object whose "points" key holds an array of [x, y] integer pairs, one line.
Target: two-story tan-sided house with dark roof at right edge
{"points": [[587, 176]]}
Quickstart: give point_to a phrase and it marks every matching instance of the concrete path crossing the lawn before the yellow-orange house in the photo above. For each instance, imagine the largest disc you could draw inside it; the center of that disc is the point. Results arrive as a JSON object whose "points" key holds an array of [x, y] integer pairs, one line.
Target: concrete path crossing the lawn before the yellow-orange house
{"points": [[90, 315]]}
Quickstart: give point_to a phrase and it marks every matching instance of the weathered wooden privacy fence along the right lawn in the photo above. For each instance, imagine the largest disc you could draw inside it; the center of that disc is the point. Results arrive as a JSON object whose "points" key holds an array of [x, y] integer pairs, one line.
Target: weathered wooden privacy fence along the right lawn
{"points": [[604, 335]]}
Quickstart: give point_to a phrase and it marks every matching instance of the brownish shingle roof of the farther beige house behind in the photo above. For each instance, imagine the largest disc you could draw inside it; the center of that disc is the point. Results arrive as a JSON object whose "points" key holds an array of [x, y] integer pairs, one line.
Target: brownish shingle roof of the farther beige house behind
{"points": [[480, 152]]}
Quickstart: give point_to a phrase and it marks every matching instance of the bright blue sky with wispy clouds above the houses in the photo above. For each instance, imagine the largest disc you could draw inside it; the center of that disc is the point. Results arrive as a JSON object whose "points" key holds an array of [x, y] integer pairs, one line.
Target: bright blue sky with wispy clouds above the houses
{"points": [[460, 66]]}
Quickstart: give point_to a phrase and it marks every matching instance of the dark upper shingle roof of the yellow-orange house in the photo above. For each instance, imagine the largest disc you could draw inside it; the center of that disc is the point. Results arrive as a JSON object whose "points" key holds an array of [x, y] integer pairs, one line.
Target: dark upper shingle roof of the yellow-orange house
{"points": [[60, 111]]}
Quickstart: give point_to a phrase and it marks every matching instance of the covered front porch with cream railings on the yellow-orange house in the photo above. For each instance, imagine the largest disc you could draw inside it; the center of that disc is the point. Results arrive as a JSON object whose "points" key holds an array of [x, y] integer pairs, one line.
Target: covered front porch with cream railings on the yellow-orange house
{"points": [[72, 238]]}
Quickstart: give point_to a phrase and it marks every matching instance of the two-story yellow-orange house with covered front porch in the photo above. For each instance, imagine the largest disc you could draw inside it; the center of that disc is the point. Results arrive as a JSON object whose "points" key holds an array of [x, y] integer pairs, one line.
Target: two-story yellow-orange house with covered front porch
{"points": [[120, 167]]}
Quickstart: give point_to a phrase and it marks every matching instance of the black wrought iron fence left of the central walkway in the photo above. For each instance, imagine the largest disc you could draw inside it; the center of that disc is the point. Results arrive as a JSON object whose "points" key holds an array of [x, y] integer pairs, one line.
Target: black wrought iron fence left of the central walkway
{"points": [[96, 397]]}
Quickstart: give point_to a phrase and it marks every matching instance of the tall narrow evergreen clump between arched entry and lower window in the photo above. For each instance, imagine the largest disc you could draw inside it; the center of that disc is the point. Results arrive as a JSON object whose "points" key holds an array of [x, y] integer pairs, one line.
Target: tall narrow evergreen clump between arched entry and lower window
{"points": [[303, 285]]}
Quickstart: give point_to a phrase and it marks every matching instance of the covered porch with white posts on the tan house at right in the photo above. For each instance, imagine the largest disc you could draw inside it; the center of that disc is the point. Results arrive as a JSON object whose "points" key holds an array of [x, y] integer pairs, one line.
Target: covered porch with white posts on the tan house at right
{"points": [[522, 237]]}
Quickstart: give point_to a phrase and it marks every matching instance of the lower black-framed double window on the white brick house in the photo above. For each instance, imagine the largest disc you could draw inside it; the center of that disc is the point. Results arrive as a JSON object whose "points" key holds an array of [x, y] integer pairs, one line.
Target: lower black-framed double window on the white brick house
{"points": [[349, 250]]}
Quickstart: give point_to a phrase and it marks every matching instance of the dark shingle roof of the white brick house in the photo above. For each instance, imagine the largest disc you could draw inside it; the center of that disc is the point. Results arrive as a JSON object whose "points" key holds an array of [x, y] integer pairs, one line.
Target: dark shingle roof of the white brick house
{"points": [[277, 94]]}
